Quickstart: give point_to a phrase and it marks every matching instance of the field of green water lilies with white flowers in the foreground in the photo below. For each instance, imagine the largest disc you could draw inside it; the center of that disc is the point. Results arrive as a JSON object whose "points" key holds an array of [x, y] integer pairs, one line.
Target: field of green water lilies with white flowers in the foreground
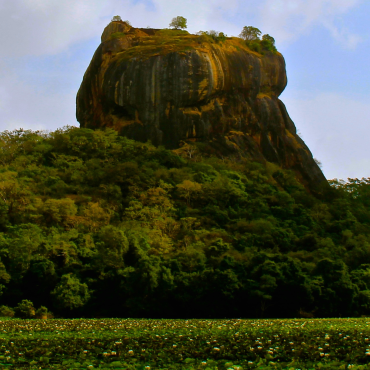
{"points": [[185, 344]]}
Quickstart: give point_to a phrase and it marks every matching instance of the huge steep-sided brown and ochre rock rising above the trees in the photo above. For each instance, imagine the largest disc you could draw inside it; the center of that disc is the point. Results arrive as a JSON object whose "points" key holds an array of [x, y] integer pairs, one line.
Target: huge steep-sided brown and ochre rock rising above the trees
{"points": [[171, 88]]}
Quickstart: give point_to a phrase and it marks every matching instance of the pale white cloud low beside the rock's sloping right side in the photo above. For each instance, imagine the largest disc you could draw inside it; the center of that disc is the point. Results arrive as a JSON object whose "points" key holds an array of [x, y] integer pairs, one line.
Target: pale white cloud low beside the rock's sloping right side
{"points": [[336, 129]]}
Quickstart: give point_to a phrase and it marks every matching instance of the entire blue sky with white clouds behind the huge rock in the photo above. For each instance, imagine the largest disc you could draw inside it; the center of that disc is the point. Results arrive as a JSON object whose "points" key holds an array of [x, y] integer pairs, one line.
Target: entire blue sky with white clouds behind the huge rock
{"points": [[47, 45]]}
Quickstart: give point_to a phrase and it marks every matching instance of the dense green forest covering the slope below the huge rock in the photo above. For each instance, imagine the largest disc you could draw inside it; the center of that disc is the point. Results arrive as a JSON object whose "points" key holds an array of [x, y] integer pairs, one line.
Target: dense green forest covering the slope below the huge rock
{"points": [[93, 224]]}
